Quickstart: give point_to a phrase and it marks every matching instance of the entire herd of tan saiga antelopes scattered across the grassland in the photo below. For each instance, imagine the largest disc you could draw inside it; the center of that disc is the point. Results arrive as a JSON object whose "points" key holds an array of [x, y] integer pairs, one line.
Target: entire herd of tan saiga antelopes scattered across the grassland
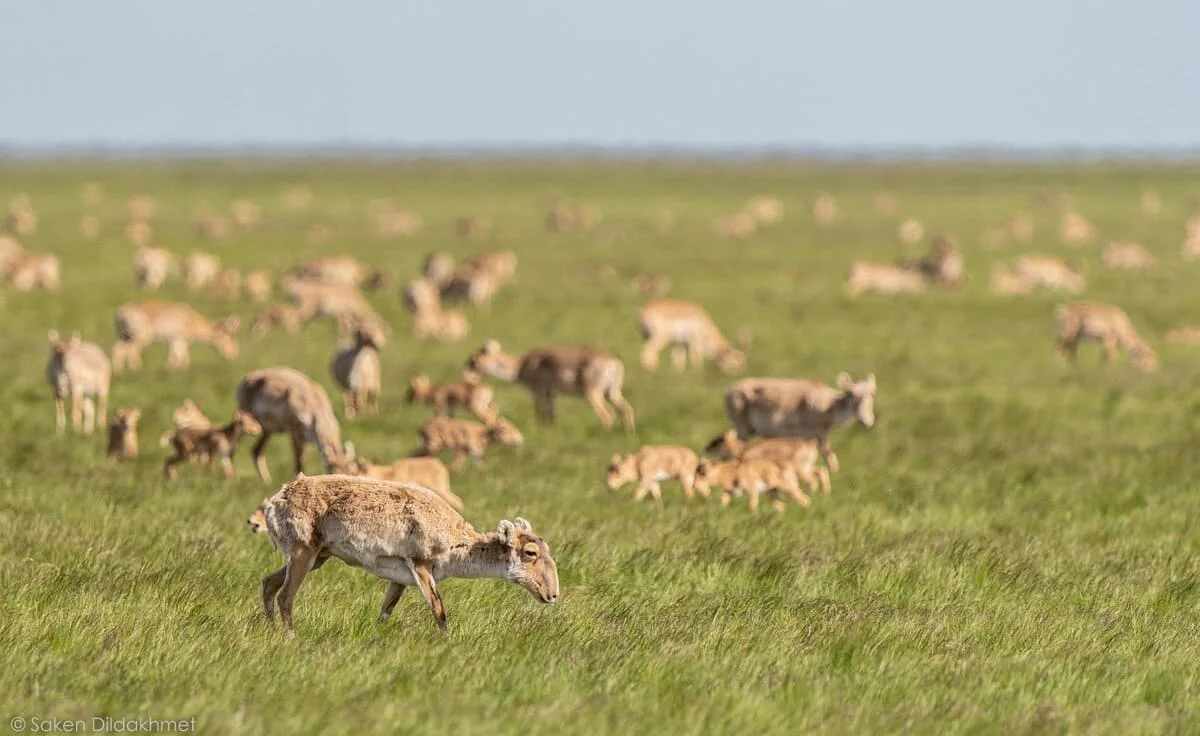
{"points": [[400, 519]]}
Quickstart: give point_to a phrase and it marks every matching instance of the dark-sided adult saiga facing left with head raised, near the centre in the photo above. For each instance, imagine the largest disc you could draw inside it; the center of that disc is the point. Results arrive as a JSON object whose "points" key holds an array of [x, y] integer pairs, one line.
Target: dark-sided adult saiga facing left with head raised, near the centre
{"points": [[575, 372]]}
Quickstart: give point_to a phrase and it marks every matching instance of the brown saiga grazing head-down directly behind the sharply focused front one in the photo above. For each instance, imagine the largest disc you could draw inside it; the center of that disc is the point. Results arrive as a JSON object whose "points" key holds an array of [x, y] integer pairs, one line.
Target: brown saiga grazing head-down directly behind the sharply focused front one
{"points": [[285, 400]]}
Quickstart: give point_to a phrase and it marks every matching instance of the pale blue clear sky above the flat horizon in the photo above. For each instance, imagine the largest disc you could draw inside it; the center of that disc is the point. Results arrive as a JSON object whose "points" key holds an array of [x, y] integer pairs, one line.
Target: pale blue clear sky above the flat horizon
{"points": [[832, 74]]}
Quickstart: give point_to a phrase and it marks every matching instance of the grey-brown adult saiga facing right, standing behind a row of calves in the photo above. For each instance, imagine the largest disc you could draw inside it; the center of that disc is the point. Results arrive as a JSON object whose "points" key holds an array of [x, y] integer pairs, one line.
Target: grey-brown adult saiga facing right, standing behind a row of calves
{"points": [[800, 408]]}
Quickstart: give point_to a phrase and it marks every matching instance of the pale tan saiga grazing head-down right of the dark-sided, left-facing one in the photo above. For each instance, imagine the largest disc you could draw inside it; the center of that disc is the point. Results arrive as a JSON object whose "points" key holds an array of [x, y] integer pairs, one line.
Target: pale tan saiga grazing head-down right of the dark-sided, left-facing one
{"points": [[691, 332]]}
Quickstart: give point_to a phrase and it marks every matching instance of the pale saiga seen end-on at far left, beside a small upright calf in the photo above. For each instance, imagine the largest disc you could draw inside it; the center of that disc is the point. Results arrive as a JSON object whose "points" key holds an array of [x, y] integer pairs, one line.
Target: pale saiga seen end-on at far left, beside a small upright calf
{"points": [[82, 372]]}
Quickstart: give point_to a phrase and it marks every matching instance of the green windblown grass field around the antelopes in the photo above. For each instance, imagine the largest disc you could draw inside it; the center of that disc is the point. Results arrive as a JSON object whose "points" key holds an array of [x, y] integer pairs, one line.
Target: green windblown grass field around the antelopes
{"points": [[1013, 548]]}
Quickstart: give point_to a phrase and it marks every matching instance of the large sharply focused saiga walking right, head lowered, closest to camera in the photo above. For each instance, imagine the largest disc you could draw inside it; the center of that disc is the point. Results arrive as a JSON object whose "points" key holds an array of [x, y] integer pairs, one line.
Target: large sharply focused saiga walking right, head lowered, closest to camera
{"points": [[400, 532]]}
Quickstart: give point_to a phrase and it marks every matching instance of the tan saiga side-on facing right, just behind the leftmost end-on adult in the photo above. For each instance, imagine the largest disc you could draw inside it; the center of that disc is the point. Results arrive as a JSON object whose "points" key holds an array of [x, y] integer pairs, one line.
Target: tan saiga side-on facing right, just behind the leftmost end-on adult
{"points": [[141, 324]]}
